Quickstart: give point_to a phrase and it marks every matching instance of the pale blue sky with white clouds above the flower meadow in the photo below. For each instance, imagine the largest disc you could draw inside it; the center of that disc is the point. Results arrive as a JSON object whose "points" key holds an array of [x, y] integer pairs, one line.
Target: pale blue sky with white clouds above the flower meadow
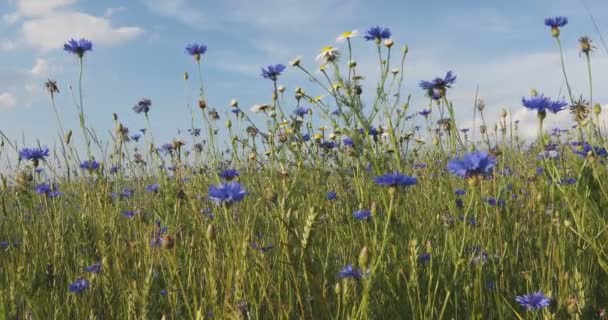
{"points": [[502, 46]]}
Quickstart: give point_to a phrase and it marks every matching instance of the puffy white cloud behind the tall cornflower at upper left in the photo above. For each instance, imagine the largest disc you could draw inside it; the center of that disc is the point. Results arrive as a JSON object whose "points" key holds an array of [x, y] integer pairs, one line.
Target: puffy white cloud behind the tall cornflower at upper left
{"points": [[53, 30]]}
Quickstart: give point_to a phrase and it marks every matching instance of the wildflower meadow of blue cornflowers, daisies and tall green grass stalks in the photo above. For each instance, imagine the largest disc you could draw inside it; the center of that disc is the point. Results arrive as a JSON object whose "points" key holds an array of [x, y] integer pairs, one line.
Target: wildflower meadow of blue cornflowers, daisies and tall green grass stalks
{"points": [[339, 201]]}
